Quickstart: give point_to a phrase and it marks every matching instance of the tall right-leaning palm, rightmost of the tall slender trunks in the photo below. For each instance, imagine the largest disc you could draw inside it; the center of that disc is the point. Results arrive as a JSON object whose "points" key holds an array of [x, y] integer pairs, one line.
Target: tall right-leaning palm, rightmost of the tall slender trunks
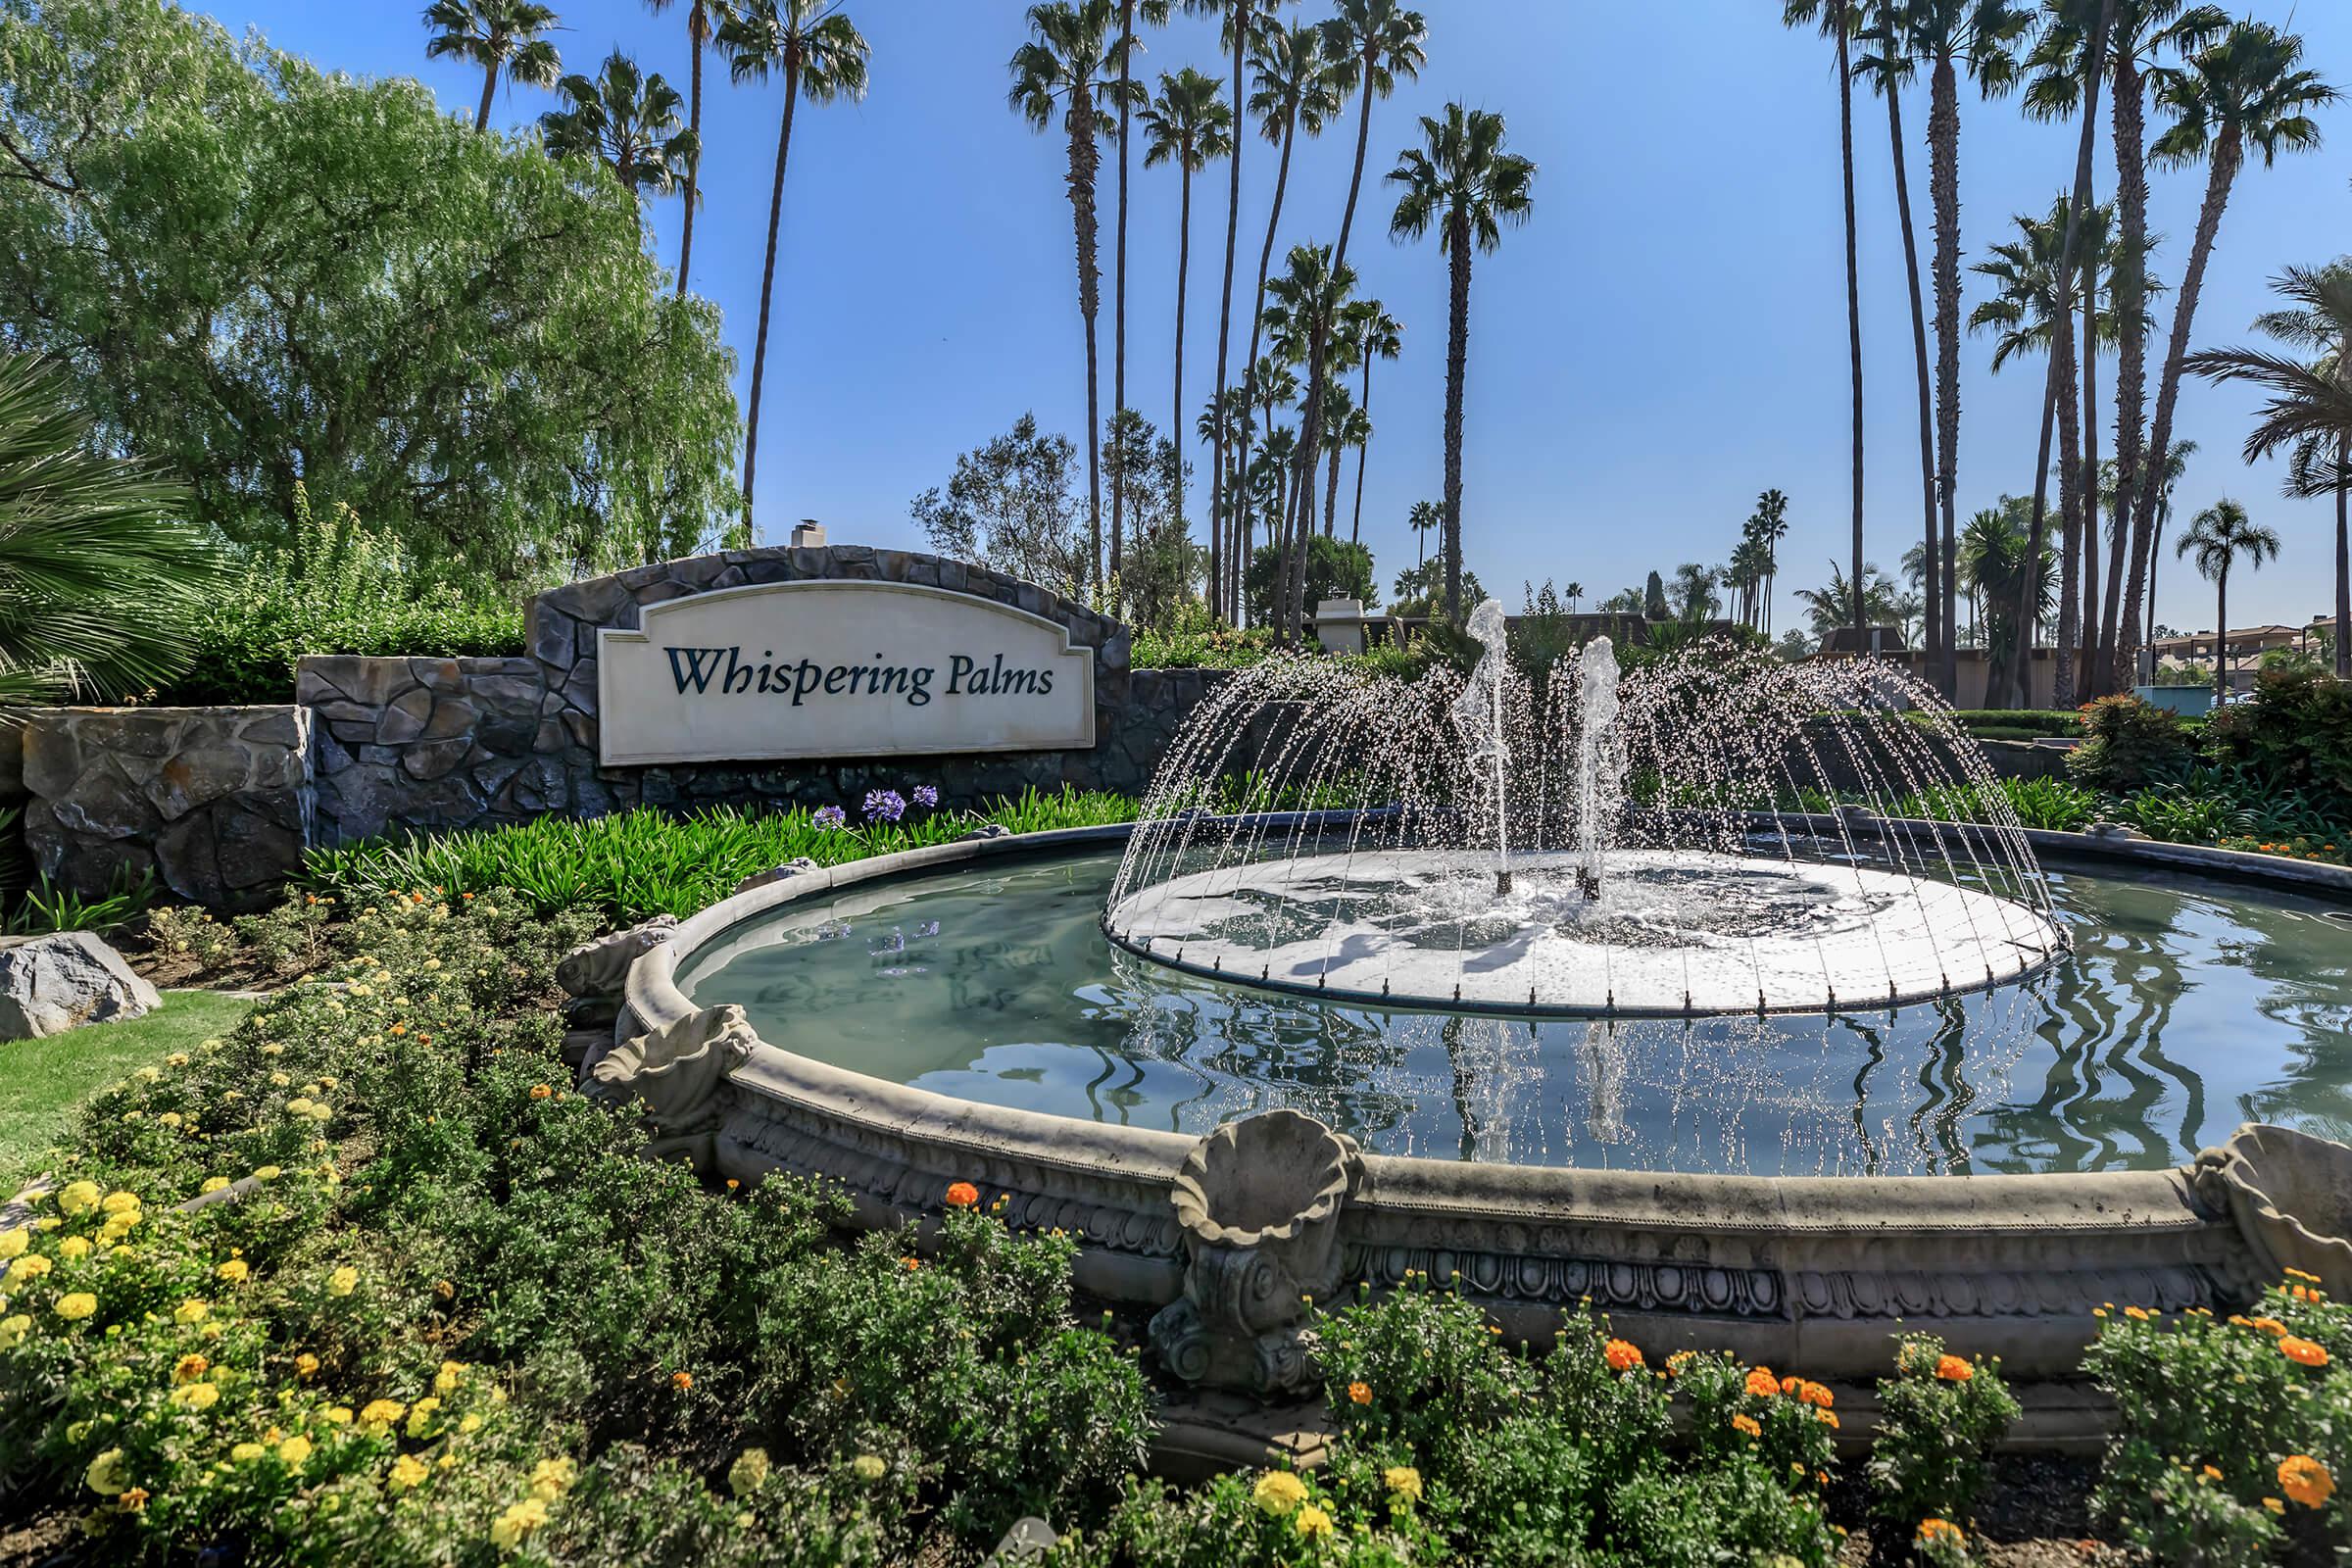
{"points": [[2247, 88]]}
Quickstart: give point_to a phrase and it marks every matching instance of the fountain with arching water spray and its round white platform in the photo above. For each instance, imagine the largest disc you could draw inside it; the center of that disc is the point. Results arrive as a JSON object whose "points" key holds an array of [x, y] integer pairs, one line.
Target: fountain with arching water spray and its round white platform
{"points": [[1711, 831]]}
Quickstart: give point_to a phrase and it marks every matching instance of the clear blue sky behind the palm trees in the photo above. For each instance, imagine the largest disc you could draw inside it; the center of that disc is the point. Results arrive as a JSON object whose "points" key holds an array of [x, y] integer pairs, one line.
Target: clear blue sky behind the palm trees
{"points": [[1659, 344]]}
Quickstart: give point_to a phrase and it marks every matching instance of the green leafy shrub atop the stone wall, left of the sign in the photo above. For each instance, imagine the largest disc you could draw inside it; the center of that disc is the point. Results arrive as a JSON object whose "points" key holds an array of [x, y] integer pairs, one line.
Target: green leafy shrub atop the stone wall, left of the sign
{"points": [[335, 587]]}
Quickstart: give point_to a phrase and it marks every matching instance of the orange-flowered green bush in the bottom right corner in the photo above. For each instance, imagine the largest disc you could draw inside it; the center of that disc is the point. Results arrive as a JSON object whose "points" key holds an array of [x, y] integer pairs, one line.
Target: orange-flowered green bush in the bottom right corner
{"points": [[2233, 1435]]}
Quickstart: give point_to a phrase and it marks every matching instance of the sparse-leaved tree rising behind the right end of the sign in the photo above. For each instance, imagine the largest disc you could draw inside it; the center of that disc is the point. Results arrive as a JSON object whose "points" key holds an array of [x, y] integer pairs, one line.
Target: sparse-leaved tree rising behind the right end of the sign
{"points": [[1010, 509]]}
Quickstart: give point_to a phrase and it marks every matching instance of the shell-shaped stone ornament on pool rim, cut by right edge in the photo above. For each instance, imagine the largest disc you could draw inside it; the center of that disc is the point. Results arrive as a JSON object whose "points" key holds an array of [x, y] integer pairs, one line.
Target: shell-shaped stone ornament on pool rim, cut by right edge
{"points": [[2292, 1200]]}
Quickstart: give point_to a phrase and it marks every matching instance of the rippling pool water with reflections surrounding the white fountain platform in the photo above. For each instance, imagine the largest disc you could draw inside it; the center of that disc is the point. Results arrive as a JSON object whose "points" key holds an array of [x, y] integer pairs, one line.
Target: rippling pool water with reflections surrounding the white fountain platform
{"points": [[2184, 1010]]}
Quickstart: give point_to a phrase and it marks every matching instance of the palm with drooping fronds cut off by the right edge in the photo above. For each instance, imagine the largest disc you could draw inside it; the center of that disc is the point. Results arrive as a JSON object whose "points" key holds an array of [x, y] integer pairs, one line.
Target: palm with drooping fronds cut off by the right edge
{"points": [[2311, 403]]}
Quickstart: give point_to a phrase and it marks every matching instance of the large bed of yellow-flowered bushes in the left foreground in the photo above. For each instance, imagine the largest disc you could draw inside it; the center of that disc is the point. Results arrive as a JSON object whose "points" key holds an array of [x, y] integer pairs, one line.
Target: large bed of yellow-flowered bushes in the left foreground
{"points": [[453, 1308]]}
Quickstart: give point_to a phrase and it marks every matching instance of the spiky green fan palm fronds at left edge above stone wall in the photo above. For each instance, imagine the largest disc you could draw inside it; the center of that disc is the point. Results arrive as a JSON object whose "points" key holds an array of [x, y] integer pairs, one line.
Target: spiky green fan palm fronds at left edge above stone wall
{"points": [[98, 568]]}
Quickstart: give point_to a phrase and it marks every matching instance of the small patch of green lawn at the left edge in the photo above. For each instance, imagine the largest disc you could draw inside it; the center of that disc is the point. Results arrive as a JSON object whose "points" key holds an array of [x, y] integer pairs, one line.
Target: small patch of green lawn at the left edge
{"points": [[44, 1080]]}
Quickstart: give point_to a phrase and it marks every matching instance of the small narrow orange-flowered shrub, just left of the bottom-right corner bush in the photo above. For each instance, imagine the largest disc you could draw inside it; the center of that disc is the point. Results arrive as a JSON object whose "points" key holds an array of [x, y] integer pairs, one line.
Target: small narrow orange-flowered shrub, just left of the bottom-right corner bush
{"points": [[1939, 1419]]}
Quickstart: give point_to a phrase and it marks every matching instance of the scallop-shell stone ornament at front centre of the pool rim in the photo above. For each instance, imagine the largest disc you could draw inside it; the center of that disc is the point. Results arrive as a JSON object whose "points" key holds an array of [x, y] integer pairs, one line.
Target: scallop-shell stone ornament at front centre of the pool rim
{"points": [[1259, 1205]]}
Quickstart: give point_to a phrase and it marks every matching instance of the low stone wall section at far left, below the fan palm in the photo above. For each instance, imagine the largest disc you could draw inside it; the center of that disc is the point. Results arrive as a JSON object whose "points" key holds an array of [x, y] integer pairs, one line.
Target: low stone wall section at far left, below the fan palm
{"points": [[218, 803]]}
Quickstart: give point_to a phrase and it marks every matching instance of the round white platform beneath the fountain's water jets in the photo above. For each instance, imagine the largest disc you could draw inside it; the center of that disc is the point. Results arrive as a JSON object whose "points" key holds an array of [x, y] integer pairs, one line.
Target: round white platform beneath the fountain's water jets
{"points": [[1662, 934]]}
